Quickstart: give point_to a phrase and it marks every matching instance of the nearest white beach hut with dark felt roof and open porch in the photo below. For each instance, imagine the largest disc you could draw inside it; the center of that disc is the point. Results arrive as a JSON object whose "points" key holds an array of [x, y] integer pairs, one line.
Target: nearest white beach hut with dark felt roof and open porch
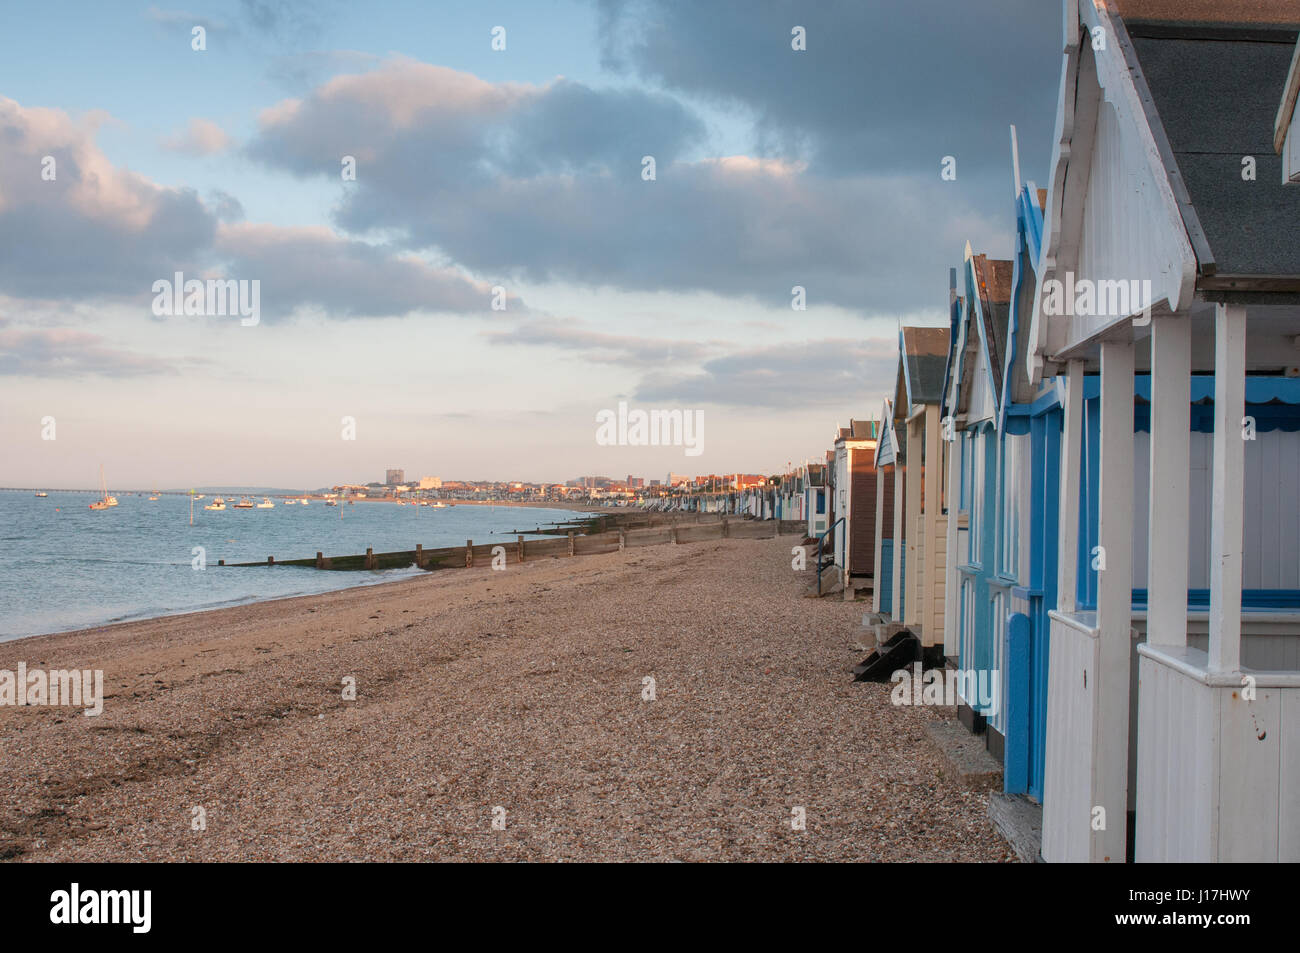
{"points": [[1168, 246]]}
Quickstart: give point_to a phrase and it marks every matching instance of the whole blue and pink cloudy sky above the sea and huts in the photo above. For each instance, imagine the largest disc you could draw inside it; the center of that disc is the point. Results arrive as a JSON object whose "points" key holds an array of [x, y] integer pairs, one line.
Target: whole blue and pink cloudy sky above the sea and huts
{"points": [[501, 268]]}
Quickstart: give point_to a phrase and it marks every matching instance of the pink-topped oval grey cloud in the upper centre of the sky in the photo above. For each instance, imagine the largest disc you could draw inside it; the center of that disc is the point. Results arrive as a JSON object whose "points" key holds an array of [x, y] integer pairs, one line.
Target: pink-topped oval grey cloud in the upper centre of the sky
{"points": [[421, 127]]}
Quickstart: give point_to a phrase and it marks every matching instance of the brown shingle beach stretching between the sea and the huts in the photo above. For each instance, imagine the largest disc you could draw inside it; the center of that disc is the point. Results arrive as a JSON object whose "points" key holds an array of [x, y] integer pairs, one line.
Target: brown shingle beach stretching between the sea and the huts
{"points": [[479, 690]]}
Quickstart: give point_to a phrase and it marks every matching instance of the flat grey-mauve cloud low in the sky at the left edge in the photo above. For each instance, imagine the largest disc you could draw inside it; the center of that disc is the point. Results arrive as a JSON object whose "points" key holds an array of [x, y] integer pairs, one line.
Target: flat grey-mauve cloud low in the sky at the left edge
{"points": [[70, 353]]}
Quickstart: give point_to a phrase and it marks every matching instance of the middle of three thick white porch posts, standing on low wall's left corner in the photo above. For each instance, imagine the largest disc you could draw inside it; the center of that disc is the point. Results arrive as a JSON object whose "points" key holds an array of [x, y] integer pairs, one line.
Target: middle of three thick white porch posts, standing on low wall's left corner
{"points": [[1171, 478]]}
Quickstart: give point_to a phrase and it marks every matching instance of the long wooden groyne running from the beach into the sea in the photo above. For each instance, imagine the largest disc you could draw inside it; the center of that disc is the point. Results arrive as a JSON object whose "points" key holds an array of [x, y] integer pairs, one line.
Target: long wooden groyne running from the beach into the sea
{"points": [[630, 531]]}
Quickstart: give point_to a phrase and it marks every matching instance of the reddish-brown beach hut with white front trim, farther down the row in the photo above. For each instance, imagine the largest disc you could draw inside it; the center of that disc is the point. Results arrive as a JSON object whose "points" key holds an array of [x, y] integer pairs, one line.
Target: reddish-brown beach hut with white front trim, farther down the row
{"points": [[855, 503]]}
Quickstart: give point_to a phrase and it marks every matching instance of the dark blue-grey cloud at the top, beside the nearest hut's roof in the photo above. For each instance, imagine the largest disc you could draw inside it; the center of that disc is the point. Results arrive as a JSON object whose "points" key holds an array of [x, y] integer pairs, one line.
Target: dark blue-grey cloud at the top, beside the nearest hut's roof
{"points": [[881, 85]]}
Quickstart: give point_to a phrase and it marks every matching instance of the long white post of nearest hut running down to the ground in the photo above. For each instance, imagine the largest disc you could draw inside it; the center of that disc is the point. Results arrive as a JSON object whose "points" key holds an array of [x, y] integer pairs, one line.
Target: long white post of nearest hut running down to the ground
{"points": [[1115, 599]]}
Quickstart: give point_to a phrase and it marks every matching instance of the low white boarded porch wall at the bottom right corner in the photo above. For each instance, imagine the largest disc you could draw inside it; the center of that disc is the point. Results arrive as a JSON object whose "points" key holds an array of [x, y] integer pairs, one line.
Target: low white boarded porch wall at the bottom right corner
{"points": [[1219, 779]]}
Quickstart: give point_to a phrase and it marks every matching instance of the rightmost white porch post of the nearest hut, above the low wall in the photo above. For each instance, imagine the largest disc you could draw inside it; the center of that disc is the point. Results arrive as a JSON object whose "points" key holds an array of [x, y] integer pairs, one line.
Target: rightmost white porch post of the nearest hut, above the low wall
{"points": [[1229, 476]]}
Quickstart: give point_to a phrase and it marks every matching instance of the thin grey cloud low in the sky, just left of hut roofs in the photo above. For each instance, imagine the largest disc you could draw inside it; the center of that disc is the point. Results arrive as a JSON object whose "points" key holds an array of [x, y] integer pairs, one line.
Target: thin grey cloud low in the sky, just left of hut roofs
{"points": [[787, 376]]}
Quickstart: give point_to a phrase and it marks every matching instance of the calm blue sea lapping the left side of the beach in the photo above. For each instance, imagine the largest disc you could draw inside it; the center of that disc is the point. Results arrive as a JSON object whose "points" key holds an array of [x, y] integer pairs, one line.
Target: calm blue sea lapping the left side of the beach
{"points": [[66, 568]]}
